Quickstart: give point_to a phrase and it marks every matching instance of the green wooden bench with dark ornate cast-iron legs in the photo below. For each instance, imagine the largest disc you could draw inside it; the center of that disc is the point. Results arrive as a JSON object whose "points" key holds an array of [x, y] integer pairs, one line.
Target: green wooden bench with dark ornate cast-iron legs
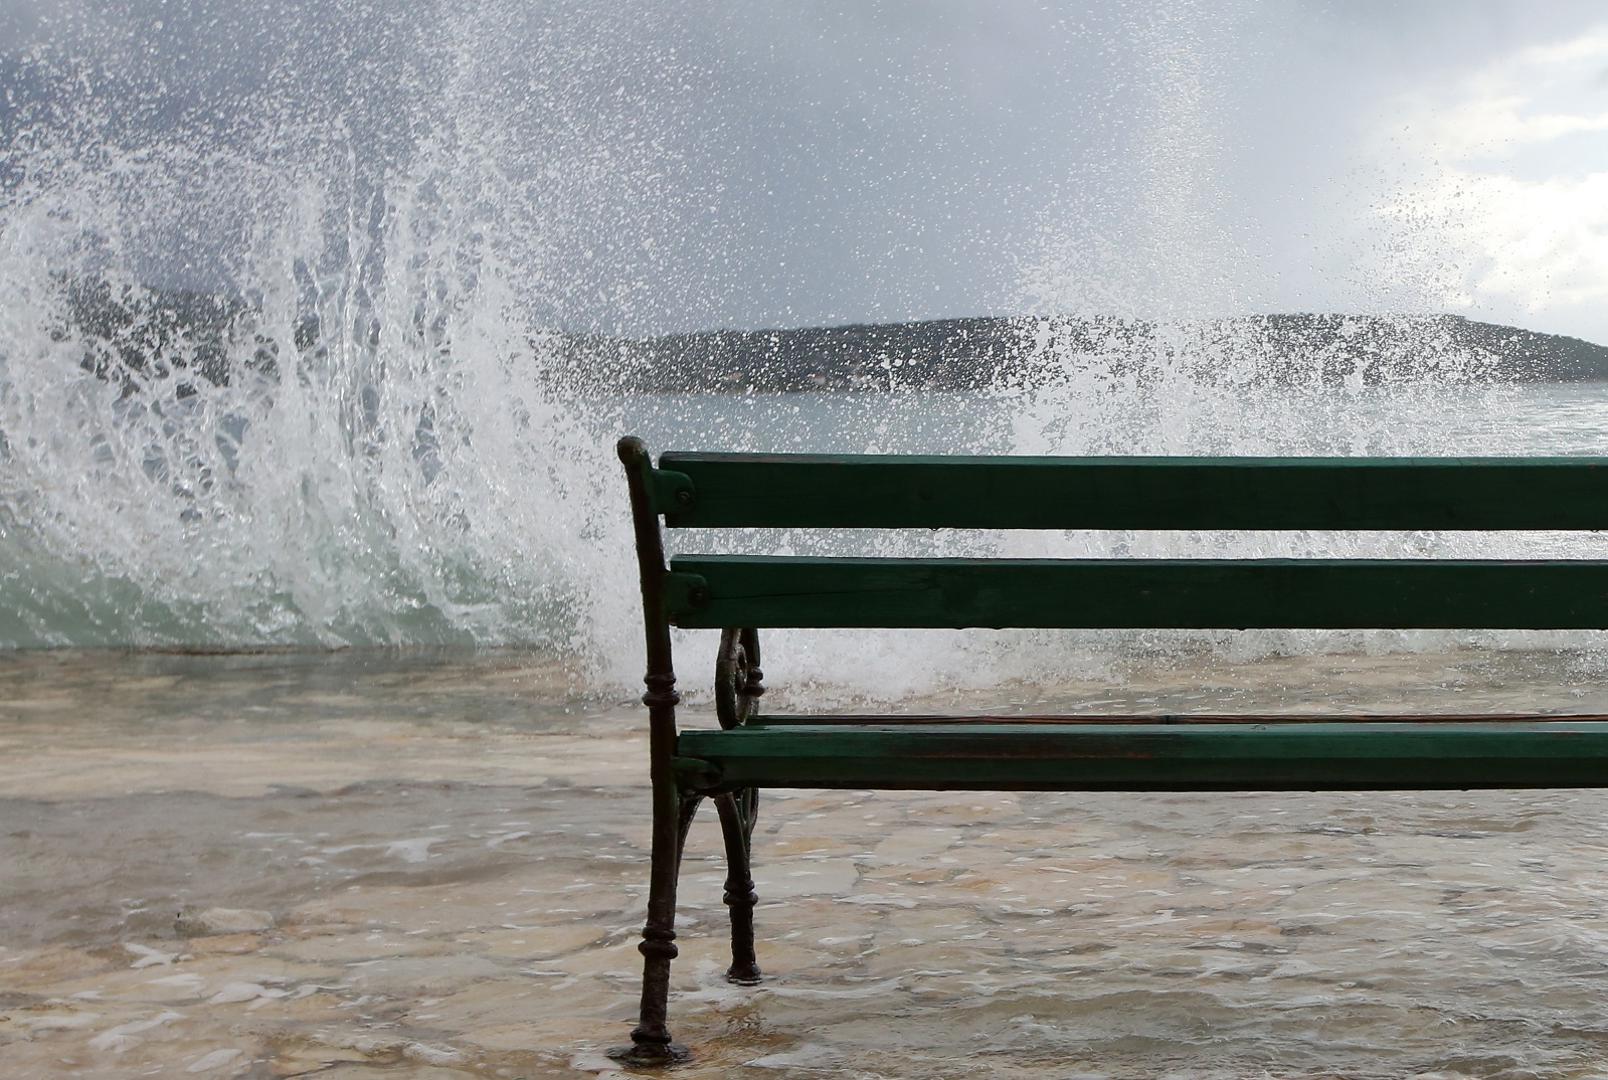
{"points": [[744, 594]]}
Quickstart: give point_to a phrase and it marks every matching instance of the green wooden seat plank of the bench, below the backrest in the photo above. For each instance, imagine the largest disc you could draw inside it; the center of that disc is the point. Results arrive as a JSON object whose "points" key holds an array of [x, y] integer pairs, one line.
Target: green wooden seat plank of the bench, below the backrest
{"points": [[1154, 758]]}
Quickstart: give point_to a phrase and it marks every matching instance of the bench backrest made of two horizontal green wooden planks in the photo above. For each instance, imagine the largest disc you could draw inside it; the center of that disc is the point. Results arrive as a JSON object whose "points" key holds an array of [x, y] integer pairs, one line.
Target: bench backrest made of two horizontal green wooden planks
{"points": [[720, 491]]}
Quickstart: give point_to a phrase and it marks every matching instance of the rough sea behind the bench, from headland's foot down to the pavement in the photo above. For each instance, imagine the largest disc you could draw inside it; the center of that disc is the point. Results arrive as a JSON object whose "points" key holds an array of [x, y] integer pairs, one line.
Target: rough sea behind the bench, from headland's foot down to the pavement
{"points": [[474, 507]]}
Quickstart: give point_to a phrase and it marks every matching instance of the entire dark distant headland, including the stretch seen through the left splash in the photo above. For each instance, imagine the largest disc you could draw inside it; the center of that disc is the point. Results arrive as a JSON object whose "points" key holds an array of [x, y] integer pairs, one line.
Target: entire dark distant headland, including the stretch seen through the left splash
{"points": [[205, 335]]}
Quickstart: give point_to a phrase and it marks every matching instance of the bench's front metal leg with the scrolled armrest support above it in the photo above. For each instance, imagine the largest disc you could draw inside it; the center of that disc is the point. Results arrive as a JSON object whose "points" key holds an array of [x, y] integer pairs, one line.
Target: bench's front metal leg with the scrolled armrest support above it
{"points": [[739, 682]]}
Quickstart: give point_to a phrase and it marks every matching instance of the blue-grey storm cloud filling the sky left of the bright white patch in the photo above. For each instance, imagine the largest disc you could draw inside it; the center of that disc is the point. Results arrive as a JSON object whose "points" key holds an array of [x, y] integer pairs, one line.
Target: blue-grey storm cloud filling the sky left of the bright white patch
{"points": [[720, 163]]}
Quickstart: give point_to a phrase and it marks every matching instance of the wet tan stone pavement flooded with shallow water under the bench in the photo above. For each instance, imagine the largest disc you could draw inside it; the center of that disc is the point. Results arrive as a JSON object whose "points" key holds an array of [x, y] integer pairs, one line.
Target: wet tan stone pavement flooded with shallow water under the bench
{"points": [[435, 865]]}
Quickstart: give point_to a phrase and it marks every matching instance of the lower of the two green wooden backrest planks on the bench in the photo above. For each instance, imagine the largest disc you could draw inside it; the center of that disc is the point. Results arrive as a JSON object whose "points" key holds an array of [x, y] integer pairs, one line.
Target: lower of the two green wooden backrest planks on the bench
{"points": [[776, 592]]}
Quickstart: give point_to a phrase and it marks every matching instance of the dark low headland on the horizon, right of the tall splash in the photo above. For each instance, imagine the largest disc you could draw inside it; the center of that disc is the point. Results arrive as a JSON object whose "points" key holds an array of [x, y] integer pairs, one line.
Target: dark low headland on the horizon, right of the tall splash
{"points": [[962, 354]]}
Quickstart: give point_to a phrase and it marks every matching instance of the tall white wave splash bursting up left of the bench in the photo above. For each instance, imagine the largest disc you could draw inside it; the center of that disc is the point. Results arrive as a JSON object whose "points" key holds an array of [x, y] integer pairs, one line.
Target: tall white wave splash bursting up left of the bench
{"points": [[371, 449]]}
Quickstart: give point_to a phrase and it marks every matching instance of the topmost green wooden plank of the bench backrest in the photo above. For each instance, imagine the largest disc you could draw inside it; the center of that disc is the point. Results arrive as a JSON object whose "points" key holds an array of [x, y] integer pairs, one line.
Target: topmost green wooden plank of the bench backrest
{"points": [[961, 493]]}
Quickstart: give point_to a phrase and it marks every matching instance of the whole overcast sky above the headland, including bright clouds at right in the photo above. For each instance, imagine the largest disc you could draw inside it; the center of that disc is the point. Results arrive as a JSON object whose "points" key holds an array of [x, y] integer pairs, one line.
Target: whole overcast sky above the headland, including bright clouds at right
{"points": [[662, 165]]}
